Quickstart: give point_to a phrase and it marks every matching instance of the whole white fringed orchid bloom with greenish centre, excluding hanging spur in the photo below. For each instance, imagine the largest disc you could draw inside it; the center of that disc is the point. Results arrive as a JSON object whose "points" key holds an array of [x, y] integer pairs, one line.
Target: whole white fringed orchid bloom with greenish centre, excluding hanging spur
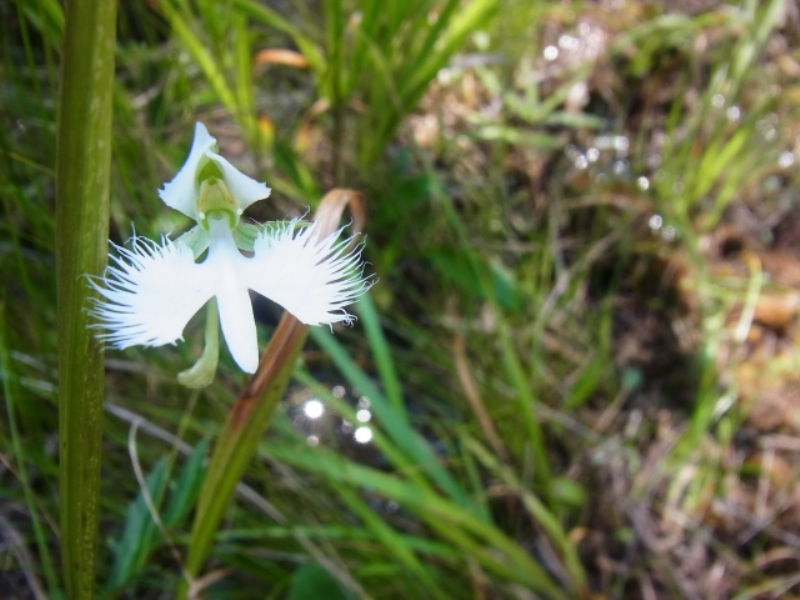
{"points": [[150, 291]]}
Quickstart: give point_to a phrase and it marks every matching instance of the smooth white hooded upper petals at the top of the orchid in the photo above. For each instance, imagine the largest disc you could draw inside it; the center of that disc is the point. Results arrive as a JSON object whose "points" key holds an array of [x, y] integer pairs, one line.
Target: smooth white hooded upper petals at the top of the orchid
{"points": [[182, 193]]}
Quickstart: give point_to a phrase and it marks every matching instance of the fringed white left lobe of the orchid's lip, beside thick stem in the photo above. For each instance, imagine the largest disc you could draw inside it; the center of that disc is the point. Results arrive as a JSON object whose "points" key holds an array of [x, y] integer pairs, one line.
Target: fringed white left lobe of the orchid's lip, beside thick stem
{"points": [[149, 294]]}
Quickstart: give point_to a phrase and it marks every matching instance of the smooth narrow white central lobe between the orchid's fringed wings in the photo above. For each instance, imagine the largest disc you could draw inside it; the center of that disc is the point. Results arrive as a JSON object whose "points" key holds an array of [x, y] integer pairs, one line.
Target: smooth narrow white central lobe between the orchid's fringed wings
{"points": [[224, 266]]}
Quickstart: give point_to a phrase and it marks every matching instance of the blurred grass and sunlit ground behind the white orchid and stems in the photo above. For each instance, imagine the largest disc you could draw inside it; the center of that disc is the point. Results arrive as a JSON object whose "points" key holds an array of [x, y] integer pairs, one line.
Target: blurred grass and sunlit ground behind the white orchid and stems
{"points": [[578, 368]]}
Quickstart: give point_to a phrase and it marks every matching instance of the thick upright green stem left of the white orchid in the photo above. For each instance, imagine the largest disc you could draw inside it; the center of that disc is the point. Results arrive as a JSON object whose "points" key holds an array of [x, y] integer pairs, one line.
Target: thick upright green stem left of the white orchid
{"points": [[82, 187]]}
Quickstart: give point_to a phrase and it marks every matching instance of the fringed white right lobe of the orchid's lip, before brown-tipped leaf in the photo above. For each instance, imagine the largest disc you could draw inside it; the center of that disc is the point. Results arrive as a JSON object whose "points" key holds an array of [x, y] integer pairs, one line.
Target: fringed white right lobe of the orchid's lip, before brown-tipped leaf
{"points": [[312, 278]]}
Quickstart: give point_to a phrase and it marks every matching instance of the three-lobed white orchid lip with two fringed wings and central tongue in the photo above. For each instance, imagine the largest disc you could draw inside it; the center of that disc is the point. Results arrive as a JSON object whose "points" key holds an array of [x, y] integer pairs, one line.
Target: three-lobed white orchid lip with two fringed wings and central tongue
{"points": [[150, 292]]}
